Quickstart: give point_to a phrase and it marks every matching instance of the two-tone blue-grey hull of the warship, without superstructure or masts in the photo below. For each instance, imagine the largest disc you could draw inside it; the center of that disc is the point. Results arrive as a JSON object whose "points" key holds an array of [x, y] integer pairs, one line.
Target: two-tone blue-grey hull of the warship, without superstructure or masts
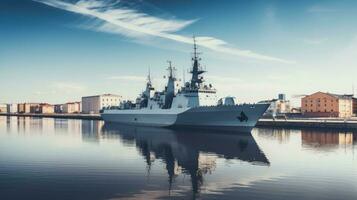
{"points": [[236, 117]]}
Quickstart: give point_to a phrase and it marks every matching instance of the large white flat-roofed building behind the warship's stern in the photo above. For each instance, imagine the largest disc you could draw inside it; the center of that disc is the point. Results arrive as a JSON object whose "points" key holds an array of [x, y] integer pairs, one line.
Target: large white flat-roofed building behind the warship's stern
{"points": [[93, 104]]}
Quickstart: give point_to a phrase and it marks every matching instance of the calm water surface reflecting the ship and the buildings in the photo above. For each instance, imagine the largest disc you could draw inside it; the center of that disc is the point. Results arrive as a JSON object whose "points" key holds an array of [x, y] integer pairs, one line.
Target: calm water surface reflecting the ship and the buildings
{"points": [[84, 159]]}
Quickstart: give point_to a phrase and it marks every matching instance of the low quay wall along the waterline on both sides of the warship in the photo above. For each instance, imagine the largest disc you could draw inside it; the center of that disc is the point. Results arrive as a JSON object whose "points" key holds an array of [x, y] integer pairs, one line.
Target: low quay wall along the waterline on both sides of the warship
{"points": [[326, 123]]}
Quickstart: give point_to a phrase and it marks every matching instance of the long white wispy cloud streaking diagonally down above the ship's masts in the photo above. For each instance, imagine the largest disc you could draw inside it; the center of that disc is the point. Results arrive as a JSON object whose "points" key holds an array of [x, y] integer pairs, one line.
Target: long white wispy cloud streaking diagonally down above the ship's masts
{"points": [[118, 19]]}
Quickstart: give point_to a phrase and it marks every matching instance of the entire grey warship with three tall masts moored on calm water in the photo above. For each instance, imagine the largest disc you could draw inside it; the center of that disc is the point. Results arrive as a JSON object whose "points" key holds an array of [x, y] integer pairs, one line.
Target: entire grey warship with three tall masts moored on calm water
{"points": [[194, 105]]}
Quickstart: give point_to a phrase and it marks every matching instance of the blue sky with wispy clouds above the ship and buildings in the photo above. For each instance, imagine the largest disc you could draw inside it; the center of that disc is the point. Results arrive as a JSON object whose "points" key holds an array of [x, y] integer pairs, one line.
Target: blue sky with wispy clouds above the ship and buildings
{"points": [[56, 51]]}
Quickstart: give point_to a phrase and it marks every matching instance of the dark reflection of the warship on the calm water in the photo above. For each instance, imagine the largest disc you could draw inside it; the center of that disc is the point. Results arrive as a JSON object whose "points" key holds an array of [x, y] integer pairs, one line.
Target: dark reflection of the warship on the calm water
{"points": [[191, 152]]}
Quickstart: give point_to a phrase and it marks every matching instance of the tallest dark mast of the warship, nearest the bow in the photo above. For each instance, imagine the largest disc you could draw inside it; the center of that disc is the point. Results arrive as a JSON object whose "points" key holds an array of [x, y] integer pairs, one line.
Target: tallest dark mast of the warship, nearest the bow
{"points": [[196, 71]]}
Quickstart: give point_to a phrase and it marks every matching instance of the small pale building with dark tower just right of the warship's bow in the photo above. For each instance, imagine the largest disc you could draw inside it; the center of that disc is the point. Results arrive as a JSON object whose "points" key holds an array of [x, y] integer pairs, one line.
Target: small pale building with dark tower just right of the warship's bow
{"points": [[278, 106]]}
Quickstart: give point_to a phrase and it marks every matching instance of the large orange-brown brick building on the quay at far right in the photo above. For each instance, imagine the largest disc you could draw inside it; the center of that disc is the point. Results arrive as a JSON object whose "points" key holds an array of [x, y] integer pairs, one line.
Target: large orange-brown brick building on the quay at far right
{"points": [[322, 104]]}
